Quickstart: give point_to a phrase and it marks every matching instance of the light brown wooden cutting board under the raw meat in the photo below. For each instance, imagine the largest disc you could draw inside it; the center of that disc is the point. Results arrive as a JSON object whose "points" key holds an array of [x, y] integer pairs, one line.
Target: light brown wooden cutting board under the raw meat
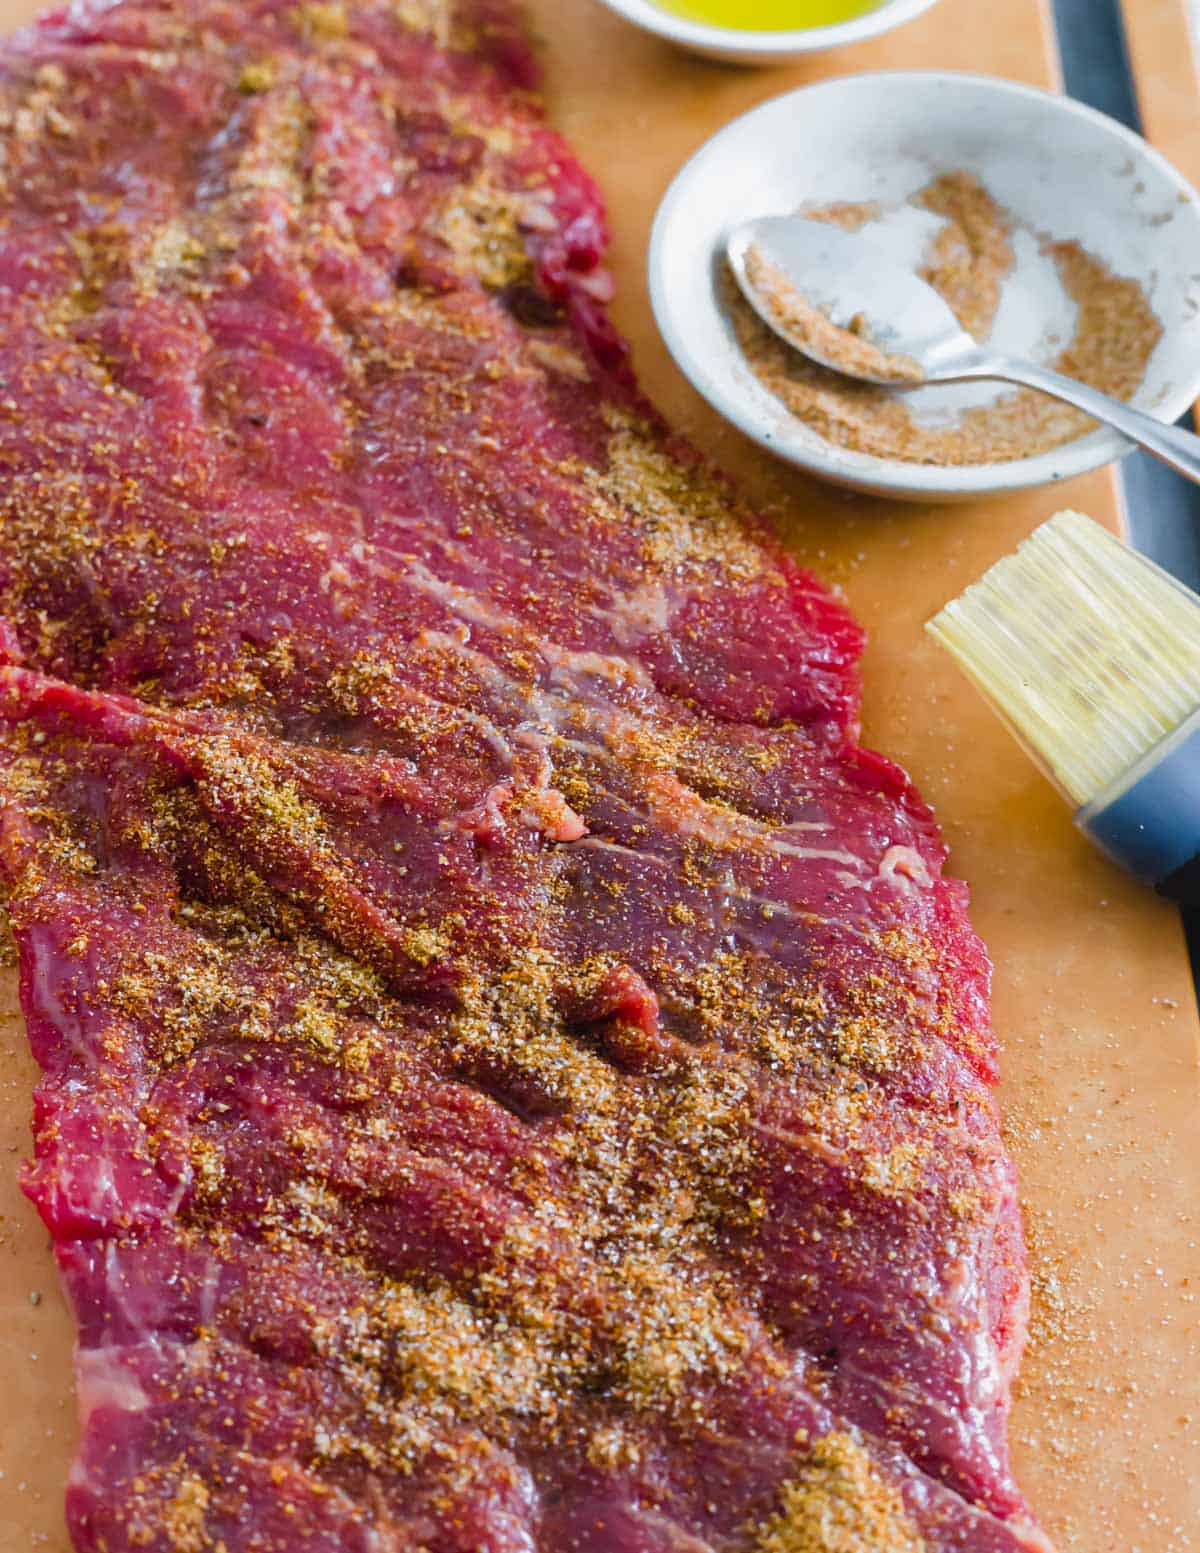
{"points": [[1094, 996]]}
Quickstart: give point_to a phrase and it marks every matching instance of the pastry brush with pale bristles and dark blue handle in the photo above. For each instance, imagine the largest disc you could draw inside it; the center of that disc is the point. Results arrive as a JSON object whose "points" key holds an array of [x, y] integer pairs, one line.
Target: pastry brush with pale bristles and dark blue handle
{"points": [[1092, 656]]}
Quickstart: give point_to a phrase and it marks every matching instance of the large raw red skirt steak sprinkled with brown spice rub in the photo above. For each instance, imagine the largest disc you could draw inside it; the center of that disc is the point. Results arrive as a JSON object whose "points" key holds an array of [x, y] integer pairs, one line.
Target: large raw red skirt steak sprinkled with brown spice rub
{"points": [[516, 1077]]}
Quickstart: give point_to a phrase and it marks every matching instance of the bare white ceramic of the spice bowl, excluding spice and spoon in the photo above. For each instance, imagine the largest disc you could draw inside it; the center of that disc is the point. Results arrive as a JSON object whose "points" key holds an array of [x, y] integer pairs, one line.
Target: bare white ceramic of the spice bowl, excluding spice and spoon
{"points": [[1061, 169]]}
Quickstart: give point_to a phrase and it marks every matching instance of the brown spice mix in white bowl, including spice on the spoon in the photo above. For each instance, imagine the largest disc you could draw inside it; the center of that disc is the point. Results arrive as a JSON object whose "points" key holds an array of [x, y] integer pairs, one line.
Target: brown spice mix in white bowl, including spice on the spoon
{"points": [[971, 259]]}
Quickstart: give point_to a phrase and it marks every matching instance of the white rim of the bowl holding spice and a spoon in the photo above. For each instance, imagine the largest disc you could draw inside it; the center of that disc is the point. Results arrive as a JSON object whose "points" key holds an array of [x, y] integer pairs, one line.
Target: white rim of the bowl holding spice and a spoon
{"points": [[892, 476]]}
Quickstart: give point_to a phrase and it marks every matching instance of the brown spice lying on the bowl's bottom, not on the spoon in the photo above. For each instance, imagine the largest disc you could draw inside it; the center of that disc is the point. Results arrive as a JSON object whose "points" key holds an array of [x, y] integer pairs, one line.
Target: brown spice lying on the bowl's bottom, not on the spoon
{"points": [[968, 262]]}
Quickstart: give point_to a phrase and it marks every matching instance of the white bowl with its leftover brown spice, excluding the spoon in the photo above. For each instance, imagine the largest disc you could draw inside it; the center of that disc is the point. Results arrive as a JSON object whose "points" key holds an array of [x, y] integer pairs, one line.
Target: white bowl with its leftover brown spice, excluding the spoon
{"points": [[1049, 229]]}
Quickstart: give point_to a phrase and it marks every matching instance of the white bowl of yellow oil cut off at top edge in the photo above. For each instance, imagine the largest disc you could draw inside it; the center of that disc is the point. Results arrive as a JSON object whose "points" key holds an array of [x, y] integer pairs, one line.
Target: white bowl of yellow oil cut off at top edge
{"points": [[771, 46]]}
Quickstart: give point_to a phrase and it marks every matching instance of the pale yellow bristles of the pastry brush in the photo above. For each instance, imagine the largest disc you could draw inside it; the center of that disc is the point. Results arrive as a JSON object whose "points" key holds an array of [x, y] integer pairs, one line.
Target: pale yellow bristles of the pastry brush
{"points": [[1087, 650]]}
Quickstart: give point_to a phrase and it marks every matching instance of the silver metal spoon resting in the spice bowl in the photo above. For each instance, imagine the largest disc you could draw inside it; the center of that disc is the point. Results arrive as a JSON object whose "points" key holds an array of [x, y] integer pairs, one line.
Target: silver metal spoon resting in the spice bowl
{"points": [[914, 338]]}
